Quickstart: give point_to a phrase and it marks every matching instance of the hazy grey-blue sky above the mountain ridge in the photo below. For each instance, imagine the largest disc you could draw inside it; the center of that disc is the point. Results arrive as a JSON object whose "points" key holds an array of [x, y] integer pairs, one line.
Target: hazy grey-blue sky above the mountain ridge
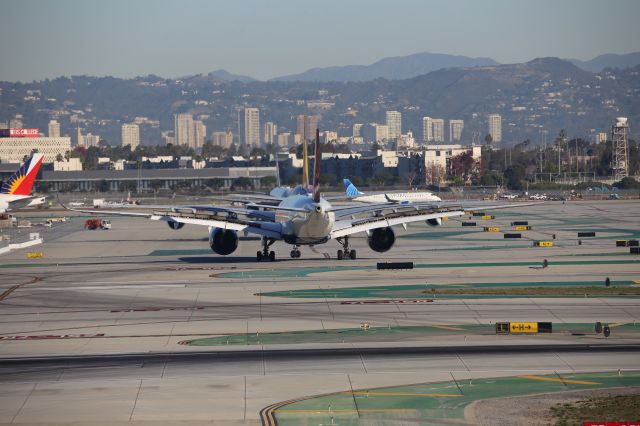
{"points": [[265, 39]]}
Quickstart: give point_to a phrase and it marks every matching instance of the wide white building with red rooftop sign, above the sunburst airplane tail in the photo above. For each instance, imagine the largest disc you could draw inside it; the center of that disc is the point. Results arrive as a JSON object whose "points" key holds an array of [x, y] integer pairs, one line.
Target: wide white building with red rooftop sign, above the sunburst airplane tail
{"points": [[13, 149]]}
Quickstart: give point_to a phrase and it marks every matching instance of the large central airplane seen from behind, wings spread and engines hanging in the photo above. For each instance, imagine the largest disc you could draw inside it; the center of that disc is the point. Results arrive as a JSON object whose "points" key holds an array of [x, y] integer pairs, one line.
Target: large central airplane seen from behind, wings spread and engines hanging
{"points": [[301, 218]]}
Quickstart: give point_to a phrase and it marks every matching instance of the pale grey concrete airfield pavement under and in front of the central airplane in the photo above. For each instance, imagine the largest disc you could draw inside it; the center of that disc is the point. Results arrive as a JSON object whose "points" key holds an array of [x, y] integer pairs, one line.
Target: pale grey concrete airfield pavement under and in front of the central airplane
{"points": [[101, 317]]}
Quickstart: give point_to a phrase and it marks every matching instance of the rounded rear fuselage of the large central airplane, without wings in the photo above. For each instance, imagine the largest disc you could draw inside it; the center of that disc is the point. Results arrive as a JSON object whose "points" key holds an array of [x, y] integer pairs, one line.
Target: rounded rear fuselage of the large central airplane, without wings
{"points": [[305, 228]]}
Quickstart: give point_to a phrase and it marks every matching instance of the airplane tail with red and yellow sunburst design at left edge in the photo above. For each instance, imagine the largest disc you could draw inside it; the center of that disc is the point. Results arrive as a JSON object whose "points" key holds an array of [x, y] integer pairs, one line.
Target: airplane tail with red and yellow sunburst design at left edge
{"points": [[15, 193]]}
